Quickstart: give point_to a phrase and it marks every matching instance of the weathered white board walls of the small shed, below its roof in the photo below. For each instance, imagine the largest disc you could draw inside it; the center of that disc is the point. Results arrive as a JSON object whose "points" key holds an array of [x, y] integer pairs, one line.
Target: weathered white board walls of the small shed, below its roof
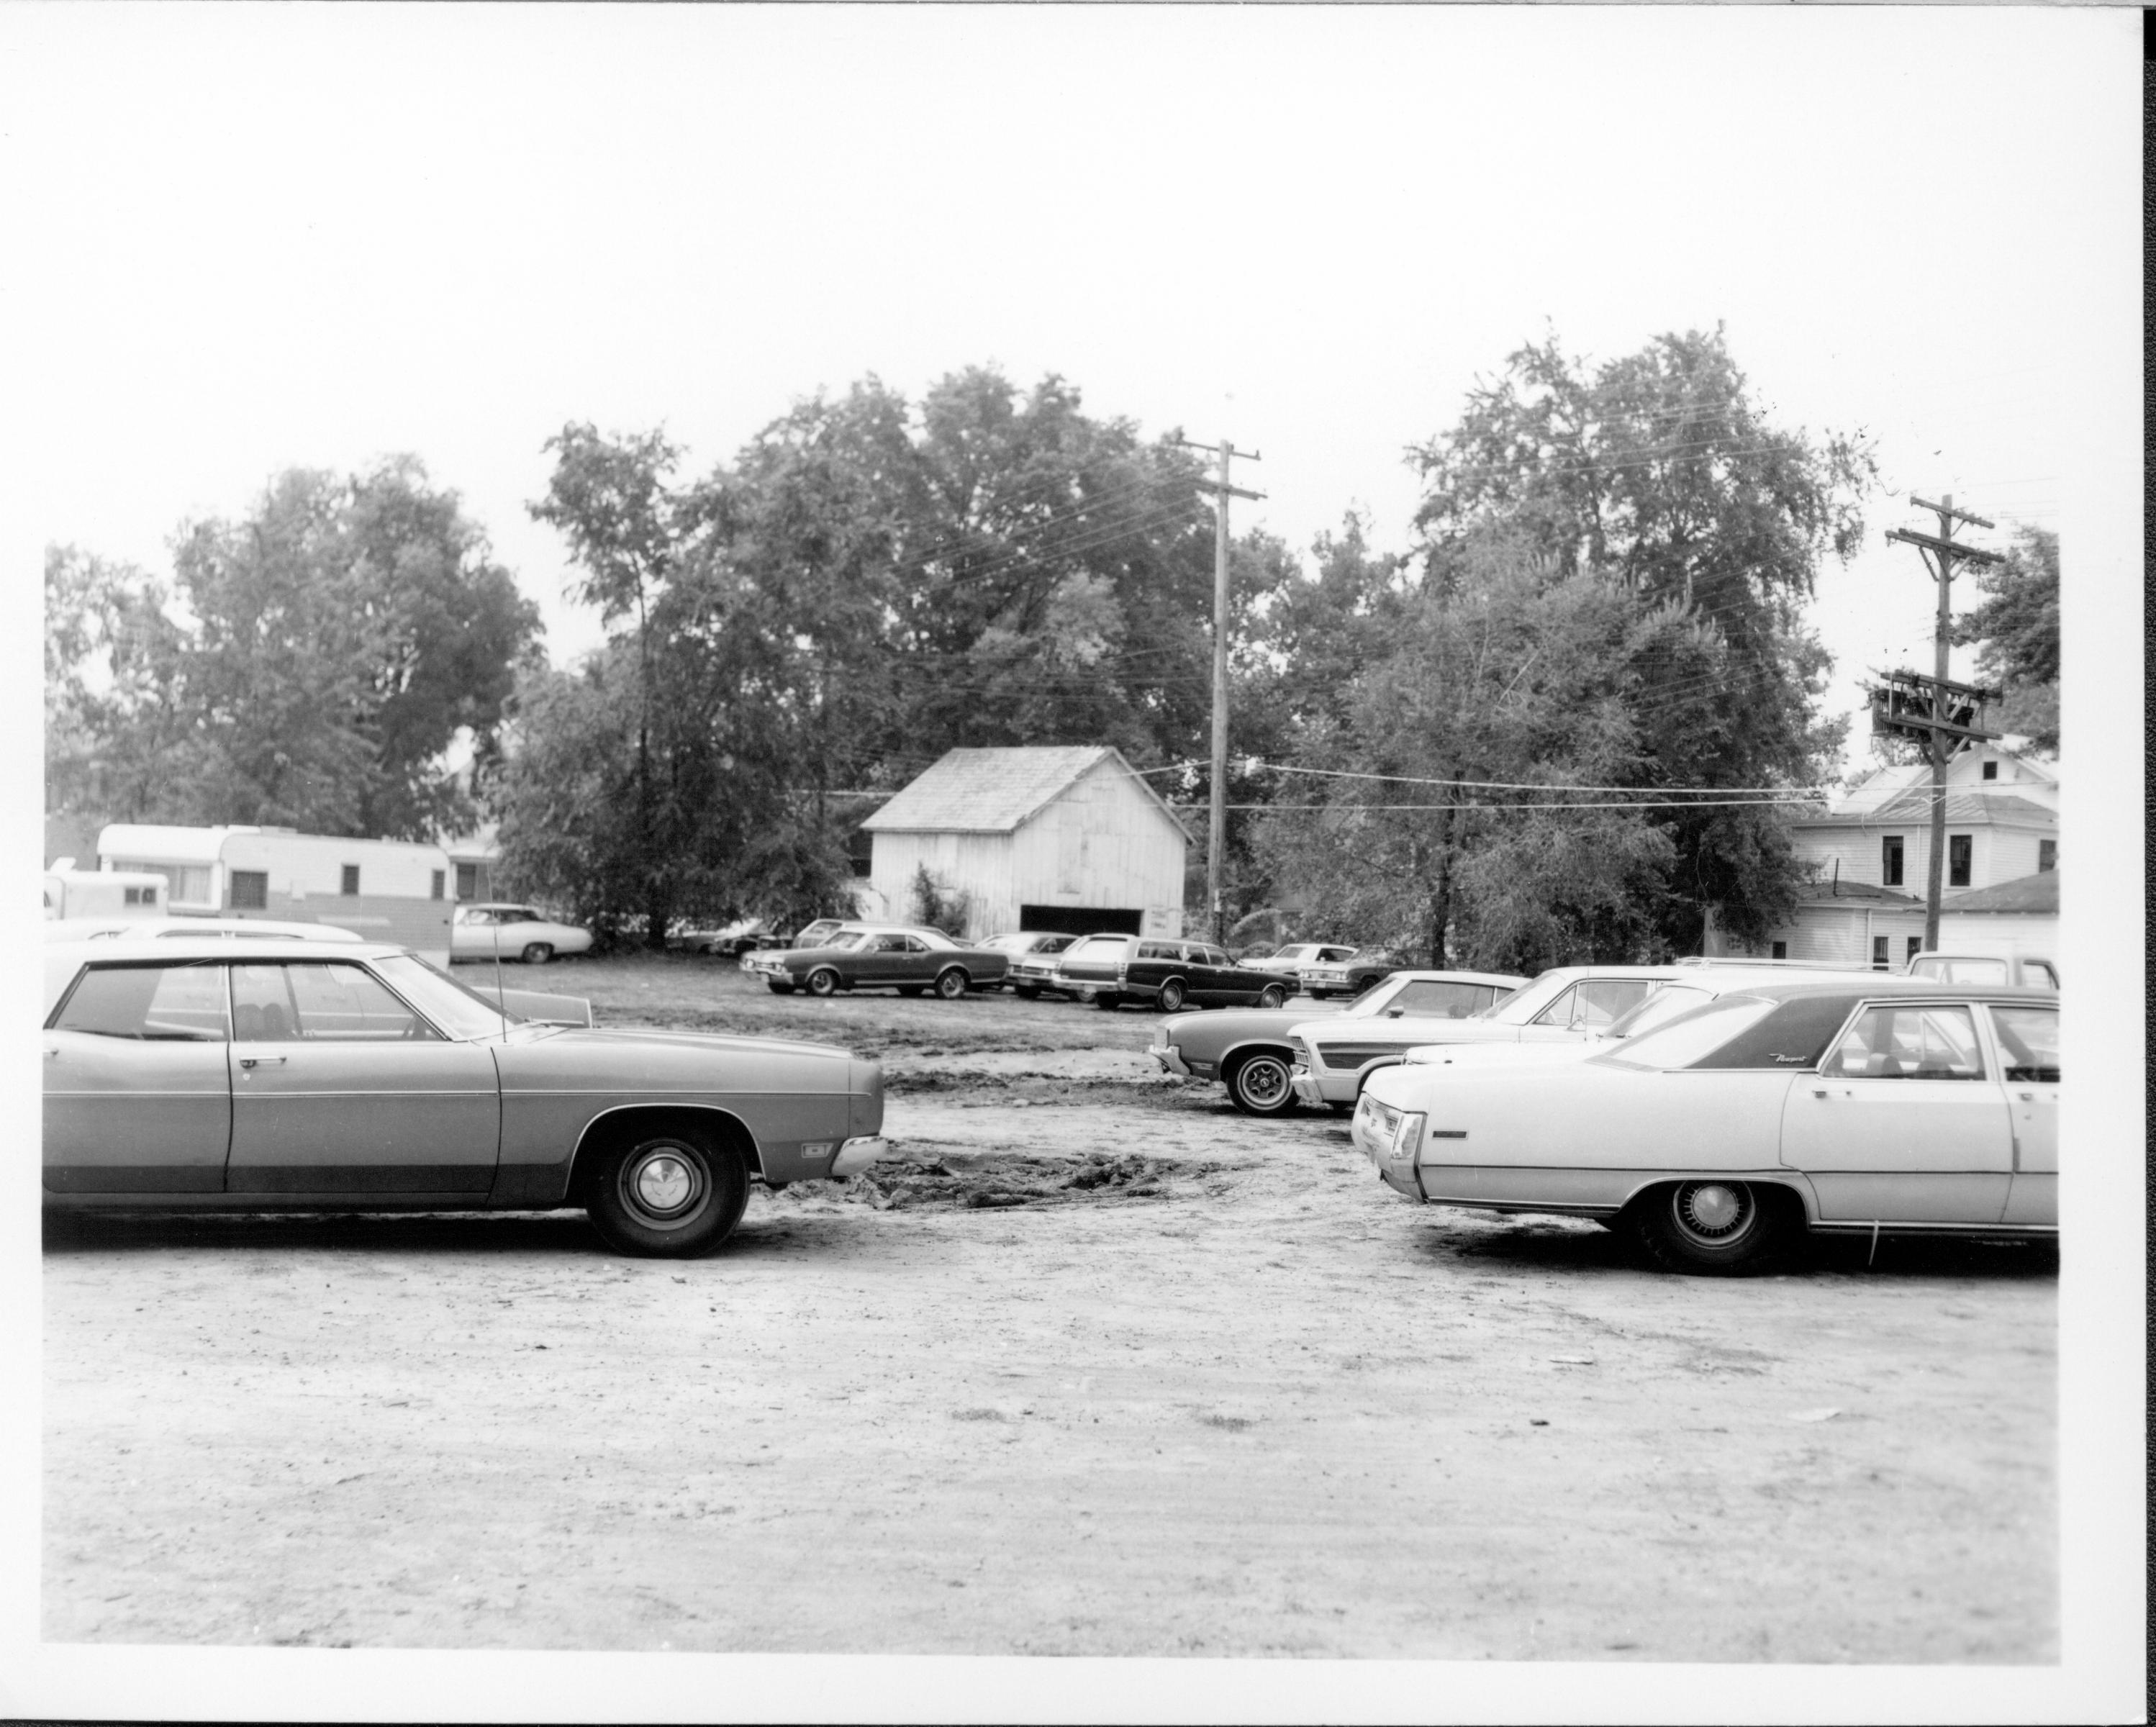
{"points": [[1101, 844]]}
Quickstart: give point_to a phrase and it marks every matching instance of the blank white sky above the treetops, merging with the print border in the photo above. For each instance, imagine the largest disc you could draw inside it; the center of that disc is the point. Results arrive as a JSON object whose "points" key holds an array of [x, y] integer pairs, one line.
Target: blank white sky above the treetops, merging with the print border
{"points": [[275, 238]]}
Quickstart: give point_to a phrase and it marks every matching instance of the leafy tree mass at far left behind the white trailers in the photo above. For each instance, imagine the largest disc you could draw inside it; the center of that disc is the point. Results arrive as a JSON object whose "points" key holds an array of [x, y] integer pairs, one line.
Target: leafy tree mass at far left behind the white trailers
{"points": [[309, 667]]}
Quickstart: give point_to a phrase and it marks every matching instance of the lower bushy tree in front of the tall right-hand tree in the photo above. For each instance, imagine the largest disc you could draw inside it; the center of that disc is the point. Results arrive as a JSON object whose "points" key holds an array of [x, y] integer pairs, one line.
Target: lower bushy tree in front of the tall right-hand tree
{"points": [[1508, 676]]}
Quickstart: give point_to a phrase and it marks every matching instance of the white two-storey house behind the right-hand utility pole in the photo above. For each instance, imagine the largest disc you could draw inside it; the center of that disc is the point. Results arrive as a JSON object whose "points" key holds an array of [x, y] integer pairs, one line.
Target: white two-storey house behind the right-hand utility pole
{"points": [[1872, 848]]}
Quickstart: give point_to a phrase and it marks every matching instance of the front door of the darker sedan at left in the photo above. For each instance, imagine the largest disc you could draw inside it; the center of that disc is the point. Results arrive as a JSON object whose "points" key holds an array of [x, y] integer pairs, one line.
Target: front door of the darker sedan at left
{"points": [[342, 1090]]}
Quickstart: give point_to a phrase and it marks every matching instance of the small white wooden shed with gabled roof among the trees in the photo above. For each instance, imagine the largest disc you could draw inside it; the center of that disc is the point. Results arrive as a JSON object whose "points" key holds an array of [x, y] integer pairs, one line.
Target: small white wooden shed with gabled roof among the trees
{"points": [[1064, 840]]}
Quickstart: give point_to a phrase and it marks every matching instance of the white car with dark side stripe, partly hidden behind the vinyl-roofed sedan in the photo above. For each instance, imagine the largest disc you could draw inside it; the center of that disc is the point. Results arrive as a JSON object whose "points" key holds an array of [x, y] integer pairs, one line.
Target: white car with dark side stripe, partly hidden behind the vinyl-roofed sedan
{"points": [[1333, 1058]]}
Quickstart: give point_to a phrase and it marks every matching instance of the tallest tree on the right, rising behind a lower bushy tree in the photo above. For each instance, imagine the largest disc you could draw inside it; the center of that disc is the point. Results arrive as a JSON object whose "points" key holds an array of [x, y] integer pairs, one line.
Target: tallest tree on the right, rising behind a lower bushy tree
{"points": [[1663, 473]]}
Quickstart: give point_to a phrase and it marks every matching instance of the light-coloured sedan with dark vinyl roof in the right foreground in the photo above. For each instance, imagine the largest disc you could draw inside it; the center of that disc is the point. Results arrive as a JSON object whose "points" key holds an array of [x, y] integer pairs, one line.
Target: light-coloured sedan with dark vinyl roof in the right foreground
{"points": [[1829, 1105]]}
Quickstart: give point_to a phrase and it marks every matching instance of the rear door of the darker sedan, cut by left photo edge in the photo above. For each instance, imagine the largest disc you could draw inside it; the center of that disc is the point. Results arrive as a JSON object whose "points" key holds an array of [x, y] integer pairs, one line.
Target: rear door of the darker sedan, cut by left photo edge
{"points": [[139, 1096]]}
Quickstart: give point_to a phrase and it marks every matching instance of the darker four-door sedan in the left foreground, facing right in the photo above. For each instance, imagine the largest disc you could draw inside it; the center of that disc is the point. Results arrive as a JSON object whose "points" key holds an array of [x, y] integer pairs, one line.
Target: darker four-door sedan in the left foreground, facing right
{"points": [[268, 1075]]}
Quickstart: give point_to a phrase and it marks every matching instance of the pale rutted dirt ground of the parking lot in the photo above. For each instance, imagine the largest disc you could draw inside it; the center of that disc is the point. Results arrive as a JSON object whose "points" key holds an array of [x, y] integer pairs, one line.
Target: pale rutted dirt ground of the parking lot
{"points": [[1094, 1366]]}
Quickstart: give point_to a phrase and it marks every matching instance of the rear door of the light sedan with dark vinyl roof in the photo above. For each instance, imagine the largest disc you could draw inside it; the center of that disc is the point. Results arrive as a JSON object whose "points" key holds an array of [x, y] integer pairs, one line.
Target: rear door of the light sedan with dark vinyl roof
{"points": [[1903, 1122]]}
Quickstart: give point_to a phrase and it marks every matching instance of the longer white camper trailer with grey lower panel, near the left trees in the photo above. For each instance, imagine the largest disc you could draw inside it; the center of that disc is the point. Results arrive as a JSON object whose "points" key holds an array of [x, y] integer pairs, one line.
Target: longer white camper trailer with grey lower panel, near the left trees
{"points": [[383, 889]]}
